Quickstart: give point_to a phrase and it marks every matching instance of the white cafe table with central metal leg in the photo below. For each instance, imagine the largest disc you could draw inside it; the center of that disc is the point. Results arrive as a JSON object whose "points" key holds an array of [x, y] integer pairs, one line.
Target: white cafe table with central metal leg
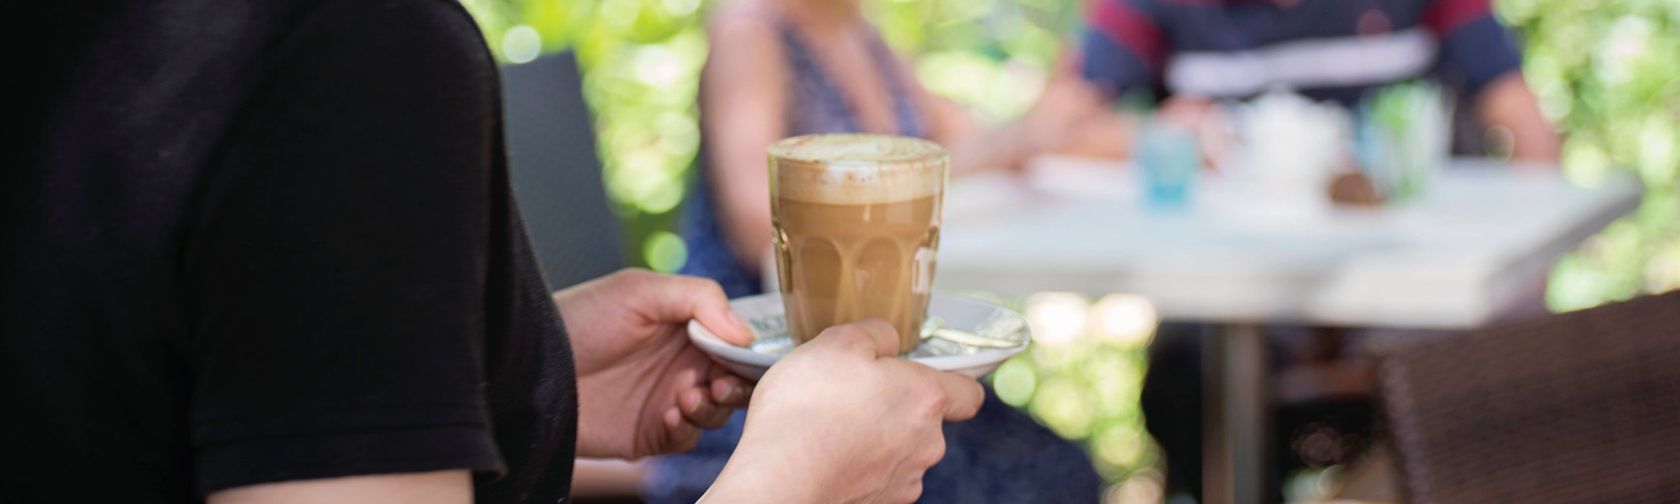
{"points": [[1479, 239]]}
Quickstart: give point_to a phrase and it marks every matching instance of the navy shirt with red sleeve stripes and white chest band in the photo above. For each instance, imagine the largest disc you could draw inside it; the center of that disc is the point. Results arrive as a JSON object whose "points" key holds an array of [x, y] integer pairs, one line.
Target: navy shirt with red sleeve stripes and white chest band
{"points": [[1326, 50]]}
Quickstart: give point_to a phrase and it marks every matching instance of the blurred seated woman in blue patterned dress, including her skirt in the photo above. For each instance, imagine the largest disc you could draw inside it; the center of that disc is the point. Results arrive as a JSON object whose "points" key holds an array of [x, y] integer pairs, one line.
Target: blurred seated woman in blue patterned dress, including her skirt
{"points": [[787, 68]]}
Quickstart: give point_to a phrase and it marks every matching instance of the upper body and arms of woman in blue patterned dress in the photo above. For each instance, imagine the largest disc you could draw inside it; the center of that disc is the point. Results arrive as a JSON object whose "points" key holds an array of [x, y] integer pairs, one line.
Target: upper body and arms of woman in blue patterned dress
{"points": [[789, 68]]}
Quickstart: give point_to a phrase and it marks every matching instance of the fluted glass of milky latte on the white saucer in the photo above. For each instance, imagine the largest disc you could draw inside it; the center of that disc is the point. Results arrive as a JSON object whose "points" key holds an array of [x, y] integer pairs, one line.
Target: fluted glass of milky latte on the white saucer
{"points": [[858, 229]]}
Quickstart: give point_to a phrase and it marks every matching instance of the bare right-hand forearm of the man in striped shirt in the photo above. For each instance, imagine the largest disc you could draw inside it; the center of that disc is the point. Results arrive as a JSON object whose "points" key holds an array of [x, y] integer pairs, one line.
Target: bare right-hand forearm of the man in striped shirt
{"points": [[1509, 105]]}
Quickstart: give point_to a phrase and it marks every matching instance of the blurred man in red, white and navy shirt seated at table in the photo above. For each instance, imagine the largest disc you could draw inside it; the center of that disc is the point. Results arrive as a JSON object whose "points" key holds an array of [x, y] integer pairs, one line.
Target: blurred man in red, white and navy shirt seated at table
{"points": [[1197, 55]]}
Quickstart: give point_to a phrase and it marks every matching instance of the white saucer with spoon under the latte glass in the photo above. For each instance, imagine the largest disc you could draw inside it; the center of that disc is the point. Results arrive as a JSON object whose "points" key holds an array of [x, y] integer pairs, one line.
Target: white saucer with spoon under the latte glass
{"points": [[963, 335]]}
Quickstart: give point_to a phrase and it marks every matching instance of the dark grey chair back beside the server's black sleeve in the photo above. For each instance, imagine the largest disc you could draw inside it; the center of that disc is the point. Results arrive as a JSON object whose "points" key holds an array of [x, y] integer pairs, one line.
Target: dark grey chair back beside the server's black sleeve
{"points": [[557, 176]]}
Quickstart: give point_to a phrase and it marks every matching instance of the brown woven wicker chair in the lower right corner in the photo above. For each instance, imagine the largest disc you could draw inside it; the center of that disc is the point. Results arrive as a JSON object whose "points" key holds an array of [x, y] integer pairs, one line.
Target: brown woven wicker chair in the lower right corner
{"points": [[1582, 407]]}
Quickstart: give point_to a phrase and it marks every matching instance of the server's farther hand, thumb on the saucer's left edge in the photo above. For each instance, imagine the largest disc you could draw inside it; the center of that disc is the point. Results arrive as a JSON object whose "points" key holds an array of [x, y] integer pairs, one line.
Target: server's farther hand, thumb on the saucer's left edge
{"points": [[643, 387]]}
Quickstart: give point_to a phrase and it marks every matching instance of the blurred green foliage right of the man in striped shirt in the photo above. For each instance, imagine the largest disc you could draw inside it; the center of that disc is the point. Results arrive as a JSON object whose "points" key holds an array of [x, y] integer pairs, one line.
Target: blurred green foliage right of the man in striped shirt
{"points": [[1609, 73]]}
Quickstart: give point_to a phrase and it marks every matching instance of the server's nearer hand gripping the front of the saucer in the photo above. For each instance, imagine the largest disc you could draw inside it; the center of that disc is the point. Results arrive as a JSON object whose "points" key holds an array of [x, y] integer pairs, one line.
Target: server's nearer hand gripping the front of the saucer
{"points": [[843, 419]]}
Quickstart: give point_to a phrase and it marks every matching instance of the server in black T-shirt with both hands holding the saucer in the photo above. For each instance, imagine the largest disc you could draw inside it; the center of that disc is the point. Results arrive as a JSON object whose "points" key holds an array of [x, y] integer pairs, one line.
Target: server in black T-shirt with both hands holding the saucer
{"points": [[268, 253]]}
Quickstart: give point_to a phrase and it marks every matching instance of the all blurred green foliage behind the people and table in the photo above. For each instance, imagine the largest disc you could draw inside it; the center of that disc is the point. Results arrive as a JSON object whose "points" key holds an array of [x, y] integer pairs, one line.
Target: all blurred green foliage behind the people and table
{"points": [[1605, 71]]}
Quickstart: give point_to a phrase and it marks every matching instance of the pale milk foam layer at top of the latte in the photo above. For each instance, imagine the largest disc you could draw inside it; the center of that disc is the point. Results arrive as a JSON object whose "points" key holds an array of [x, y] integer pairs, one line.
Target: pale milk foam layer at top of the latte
{"points": [[858, 169]]}
